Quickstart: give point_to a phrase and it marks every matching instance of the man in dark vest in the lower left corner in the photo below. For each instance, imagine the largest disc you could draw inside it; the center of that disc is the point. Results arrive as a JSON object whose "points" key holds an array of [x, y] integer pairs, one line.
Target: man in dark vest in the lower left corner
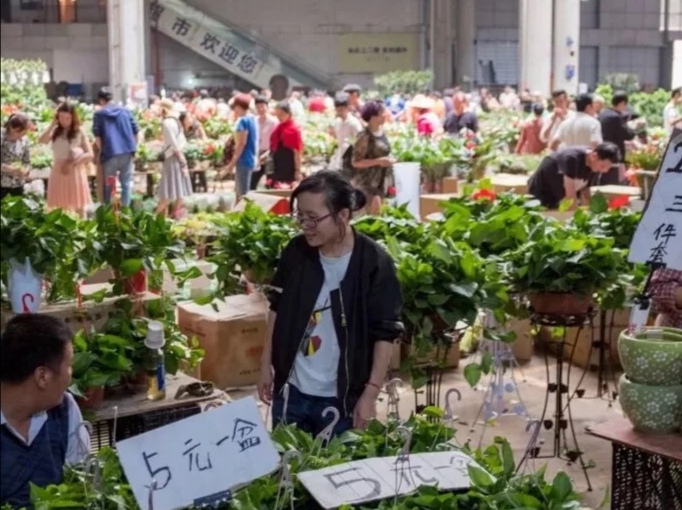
{"points": [[39, 422]]}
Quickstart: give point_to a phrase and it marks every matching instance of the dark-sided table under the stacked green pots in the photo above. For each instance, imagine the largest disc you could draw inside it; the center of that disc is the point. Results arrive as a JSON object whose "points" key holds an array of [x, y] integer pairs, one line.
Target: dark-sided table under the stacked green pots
{"points": [[647, 468]]}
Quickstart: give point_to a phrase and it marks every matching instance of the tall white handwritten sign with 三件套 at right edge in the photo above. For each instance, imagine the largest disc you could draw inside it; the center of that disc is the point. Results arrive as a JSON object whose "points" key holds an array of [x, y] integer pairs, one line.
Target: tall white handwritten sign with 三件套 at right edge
{"points": [[658, 238]]}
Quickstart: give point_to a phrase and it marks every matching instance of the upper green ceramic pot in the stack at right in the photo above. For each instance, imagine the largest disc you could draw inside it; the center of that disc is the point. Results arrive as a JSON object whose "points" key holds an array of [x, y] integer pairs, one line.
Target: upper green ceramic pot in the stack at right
{"points": [[653, 357]]}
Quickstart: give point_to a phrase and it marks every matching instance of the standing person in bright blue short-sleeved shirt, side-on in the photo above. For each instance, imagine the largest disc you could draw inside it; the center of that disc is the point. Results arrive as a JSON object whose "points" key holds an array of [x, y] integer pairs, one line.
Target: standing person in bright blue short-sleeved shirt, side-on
{"points": [[245, 157]]}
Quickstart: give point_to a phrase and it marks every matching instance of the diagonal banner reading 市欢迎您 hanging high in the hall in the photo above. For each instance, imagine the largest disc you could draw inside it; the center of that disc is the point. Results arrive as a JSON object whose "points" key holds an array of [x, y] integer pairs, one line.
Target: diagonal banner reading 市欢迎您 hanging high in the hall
{"points": [[218, 46]]}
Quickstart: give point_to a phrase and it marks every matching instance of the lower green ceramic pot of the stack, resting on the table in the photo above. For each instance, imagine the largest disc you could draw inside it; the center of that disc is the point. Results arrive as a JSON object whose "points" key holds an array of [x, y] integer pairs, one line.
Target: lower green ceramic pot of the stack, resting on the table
{"points": [[651, 408]]}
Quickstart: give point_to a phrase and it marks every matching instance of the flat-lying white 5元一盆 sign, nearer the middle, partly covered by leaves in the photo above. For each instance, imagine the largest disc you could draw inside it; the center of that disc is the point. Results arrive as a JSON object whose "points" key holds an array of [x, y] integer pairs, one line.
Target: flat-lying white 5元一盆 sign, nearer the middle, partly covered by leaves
{"points": [[385, 477]]}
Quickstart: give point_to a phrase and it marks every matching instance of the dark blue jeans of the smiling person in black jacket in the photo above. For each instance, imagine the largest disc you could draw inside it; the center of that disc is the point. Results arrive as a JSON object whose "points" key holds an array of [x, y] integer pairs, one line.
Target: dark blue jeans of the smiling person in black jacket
{"points": [[305, 411]]}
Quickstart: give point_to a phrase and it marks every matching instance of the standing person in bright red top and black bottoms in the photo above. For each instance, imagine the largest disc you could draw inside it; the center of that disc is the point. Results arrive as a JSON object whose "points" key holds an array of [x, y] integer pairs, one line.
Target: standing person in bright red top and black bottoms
{"points": [[286, 147]]}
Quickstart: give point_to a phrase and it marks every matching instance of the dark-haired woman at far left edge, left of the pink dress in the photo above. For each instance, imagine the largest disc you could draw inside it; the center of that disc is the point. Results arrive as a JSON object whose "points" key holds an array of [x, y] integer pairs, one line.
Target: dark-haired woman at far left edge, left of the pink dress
{"points": [[15, 156]]}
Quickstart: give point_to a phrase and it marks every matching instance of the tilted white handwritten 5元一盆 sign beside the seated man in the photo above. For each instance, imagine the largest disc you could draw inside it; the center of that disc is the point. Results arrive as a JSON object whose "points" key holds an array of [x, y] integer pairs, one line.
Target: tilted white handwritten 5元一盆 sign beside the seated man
{"points": [[198, 457]]}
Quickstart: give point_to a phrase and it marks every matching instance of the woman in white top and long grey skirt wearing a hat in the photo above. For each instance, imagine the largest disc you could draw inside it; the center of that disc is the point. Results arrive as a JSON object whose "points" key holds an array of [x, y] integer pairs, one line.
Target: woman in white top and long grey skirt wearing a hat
{"points": [[175, 183]]}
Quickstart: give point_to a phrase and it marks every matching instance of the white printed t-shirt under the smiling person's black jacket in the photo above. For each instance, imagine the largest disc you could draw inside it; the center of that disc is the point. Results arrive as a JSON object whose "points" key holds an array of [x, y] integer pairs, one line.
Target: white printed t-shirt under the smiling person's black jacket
{"points": [[316, 367]]}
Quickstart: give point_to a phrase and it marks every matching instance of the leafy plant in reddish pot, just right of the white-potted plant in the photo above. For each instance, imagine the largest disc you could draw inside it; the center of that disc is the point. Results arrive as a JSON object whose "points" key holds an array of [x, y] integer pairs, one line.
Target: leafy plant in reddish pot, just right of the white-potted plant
{"points": [[135, 244]]}
